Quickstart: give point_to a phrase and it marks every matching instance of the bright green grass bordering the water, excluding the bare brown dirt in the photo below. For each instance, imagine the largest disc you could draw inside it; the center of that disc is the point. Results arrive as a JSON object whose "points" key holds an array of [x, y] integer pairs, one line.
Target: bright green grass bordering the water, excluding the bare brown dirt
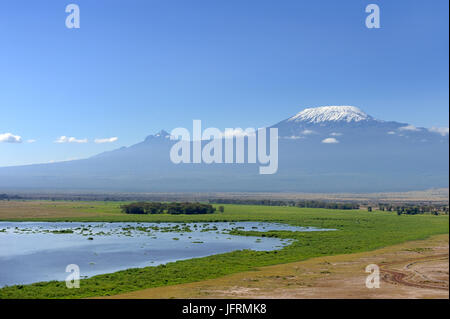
{"points": [[358, 231]]}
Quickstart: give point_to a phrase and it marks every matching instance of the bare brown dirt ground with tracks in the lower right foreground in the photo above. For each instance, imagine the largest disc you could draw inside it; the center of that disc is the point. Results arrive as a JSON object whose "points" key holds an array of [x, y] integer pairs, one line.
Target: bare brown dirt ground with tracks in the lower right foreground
{"points": [[418, 269]]}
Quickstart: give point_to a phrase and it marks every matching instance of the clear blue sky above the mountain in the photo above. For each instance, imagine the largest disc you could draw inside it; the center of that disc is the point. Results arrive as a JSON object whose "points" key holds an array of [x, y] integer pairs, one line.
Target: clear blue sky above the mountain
{"points": [[135, 67]]}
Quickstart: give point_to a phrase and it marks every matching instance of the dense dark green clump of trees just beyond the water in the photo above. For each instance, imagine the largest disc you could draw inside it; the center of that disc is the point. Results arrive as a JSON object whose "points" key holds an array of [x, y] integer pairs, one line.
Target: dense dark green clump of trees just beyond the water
{"points": [[168, 208]]}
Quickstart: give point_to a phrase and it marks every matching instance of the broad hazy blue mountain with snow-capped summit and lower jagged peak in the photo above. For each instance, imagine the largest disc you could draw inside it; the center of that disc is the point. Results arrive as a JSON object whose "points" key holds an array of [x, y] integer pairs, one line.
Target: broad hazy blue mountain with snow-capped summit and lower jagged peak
{"points": [[322, 149]]}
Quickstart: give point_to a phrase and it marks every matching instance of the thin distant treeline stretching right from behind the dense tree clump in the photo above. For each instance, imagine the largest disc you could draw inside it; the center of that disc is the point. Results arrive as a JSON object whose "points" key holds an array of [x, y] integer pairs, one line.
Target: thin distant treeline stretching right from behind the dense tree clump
{"points": [[301, 203]]}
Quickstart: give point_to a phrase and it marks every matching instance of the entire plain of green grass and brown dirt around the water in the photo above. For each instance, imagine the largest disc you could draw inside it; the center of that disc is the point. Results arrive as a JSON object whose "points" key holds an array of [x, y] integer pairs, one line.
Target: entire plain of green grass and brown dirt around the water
{"points": [[411, 250]]}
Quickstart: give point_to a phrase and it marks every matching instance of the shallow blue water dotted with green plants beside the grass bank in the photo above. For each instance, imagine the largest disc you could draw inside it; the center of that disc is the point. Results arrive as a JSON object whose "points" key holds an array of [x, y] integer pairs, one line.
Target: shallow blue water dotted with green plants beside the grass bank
{"points": [[40, 251]]}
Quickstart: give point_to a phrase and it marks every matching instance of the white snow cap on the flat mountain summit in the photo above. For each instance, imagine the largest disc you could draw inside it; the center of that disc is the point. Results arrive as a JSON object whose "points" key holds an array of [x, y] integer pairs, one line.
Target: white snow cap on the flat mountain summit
{"points": [[331, 114]]}
